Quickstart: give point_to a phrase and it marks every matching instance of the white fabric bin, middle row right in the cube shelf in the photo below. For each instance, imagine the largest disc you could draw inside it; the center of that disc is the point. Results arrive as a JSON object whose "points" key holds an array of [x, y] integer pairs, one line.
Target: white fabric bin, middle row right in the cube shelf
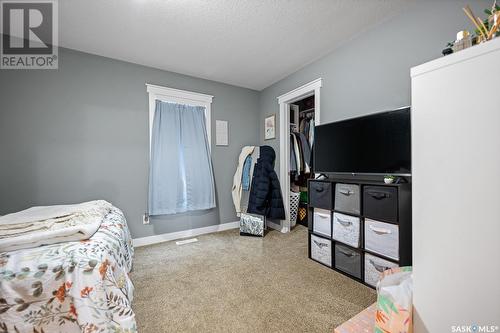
{"points": [[382, 238]]}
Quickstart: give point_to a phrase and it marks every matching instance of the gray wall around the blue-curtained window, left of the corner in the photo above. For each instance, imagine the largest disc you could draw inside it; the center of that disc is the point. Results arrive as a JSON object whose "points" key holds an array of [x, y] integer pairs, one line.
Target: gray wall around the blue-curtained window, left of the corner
{"points": [[81, 133]]}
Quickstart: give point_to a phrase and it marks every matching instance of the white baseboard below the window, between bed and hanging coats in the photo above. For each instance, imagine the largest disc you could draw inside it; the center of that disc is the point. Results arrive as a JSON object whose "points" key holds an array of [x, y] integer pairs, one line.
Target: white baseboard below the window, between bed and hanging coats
{"points": [[143, 241]]}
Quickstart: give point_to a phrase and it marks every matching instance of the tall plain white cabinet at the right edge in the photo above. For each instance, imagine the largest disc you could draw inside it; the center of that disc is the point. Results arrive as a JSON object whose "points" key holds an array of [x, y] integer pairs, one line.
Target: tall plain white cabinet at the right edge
{"points": [[456, 197]]}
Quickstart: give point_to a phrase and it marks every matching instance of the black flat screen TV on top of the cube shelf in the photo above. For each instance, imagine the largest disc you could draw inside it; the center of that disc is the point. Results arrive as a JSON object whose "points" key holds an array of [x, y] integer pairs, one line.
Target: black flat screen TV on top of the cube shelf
{"points": [[374, 144]]}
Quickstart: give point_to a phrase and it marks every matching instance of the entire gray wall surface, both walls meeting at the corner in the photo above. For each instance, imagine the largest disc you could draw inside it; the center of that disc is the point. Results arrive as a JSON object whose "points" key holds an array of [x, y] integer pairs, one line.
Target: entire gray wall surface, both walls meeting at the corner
{"points": [[81, 132]]}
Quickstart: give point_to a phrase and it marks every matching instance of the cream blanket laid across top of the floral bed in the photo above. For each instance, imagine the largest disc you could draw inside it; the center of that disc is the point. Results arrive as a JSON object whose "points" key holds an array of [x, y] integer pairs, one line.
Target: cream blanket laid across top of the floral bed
{"points": [[51, 224]]}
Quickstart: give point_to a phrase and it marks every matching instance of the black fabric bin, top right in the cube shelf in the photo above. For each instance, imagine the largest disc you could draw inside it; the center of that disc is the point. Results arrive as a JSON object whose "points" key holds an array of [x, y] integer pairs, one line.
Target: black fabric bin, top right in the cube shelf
{"points": [[380, 203]]}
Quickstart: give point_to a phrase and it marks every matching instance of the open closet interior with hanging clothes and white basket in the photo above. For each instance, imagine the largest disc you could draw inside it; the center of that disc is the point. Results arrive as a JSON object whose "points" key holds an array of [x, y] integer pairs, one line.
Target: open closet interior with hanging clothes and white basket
{"points": [[301, 161]]}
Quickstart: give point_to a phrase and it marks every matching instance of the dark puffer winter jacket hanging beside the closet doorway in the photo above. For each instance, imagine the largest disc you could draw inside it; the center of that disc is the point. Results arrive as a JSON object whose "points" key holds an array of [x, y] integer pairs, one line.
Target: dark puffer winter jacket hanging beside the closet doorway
{"points": [[265, 192]]}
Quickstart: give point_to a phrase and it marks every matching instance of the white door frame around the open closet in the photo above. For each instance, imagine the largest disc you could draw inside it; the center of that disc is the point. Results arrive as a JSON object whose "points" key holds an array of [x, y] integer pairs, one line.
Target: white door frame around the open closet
{"points": [[284, 101]]}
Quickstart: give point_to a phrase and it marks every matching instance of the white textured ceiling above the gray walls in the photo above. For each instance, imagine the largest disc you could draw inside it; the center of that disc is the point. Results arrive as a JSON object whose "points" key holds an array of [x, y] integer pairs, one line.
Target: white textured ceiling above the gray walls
{"points": [[248, 43]]}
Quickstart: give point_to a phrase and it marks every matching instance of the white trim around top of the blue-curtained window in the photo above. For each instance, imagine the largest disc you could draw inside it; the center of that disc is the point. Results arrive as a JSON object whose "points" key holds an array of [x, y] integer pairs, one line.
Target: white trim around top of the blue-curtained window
{"points": [[181, 97]]}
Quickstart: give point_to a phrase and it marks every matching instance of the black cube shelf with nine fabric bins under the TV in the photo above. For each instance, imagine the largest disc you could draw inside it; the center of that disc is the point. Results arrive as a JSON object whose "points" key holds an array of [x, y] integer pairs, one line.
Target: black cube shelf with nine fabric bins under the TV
{"points": [[370, 226]]}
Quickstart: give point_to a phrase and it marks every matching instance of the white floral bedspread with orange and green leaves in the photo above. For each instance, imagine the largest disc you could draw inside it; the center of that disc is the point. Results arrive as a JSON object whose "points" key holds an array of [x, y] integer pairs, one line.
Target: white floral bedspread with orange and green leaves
{"points": [[80, 286]]}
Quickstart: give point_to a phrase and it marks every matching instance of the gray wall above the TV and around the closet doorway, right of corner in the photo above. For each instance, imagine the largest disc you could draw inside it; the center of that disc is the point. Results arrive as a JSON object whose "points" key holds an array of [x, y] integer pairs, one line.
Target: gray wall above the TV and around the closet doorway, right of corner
{"points": [[371, 72]]}
